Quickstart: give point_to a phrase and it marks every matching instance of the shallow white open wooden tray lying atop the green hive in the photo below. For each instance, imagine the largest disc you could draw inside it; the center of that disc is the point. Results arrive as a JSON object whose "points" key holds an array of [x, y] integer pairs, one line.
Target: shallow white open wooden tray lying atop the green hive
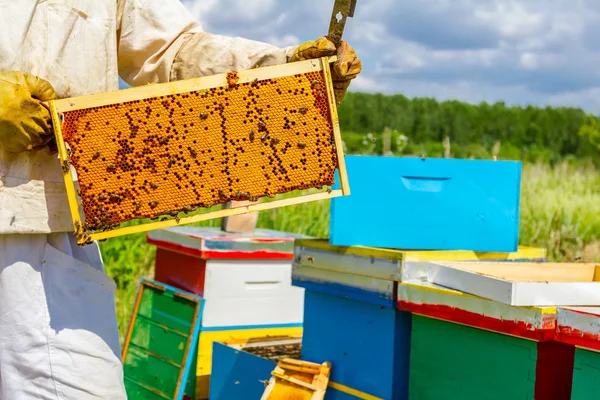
{"points": [[550, 284]]}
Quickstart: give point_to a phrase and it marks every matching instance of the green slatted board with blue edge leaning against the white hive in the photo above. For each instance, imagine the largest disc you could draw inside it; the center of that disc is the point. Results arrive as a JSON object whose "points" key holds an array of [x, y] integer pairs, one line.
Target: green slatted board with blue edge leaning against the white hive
{"points": [[161, 343]]}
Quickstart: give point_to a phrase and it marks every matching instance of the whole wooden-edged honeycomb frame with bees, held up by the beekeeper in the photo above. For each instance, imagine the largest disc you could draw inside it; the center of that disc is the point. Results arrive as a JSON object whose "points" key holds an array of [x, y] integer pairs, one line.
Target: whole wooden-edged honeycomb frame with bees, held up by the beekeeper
{"points": [[163, 151]]}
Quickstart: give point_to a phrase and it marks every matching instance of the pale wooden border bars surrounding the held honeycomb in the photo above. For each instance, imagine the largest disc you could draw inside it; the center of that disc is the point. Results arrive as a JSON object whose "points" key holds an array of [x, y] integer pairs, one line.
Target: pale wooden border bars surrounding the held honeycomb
{"points": [[57, 107]]}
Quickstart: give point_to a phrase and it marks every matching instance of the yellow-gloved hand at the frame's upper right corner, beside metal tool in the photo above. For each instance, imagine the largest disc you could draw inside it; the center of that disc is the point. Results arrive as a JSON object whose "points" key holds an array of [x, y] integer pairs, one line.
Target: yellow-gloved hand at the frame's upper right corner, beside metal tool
{"points": [[346, 68]]}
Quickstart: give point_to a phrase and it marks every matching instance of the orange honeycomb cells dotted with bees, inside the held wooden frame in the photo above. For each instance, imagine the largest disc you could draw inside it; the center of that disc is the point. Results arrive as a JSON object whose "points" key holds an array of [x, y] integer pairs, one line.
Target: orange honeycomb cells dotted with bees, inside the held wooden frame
{"points": [[180, 152]]}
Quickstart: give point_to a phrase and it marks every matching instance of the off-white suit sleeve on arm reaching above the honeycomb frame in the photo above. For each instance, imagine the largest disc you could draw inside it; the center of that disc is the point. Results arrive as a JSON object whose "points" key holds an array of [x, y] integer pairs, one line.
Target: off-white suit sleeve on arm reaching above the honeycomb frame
{"points": [[160, 41]]}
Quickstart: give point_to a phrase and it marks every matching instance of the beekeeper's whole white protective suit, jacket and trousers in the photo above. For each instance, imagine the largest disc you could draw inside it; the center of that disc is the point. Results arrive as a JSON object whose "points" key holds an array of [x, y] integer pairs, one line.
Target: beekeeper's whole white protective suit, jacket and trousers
{"points": [[58, 331]]}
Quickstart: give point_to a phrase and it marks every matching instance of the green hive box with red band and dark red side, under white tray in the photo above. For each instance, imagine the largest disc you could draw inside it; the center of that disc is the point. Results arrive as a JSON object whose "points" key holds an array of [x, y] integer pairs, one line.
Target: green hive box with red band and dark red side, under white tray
{"points": [[466, 347]]}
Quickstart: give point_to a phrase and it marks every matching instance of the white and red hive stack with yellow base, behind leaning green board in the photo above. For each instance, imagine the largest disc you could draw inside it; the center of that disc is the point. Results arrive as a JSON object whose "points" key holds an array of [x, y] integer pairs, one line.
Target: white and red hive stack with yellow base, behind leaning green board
{"points": [[243, 279]]}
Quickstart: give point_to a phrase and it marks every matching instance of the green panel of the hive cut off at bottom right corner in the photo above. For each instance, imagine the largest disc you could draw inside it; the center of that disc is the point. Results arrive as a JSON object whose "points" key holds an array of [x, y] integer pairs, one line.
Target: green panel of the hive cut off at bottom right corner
{"points": [[586, 375]]}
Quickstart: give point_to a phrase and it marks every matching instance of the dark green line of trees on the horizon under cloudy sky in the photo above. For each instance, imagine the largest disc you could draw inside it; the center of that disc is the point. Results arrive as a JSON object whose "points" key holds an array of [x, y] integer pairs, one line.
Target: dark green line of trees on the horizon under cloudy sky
{"points": [[547, 133]]}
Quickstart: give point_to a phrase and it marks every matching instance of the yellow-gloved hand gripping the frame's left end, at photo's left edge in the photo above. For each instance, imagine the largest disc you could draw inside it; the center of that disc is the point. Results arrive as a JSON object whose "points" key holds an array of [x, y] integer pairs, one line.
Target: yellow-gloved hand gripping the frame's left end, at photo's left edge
{"points": [[25, 123]]}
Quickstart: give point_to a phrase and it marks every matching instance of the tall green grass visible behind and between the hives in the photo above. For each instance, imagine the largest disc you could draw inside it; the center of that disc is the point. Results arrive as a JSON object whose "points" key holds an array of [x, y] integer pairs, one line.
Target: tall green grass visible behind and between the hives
{"points": [[559, 211]]}
